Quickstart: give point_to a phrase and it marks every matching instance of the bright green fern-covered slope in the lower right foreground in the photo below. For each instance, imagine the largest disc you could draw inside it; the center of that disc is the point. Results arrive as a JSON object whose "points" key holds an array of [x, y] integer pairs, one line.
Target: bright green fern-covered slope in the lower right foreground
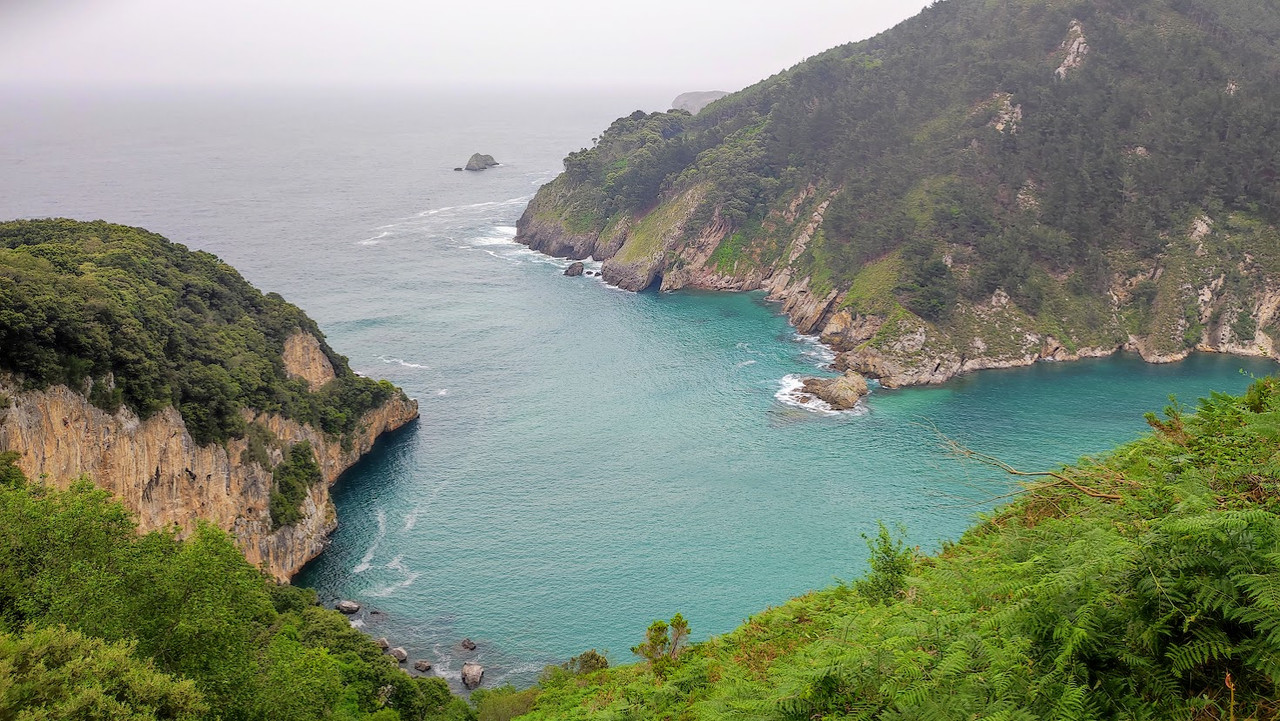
{"points": [[1145, 585]]}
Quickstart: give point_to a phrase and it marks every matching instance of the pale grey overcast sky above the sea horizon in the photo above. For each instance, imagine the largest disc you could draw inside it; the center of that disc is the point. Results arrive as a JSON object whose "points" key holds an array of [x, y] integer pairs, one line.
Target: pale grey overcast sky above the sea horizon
{"points": [[685, 44]]}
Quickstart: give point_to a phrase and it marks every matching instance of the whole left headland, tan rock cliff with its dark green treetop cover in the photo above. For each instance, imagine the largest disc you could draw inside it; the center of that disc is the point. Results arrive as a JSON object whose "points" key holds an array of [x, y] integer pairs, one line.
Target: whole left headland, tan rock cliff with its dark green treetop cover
{"points": [[162, 376]]}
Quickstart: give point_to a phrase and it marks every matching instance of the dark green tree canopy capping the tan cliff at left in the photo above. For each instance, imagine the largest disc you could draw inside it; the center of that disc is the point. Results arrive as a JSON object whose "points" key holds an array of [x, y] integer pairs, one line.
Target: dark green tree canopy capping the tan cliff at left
{"points": [[131, 318]]}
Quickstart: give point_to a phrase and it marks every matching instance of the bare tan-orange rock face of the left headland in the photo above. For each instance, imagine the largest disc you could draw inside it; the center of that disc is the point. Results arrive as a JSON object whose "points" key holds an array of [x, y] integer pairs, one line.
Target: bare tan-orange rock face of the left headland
{"points": [[168, 481]]}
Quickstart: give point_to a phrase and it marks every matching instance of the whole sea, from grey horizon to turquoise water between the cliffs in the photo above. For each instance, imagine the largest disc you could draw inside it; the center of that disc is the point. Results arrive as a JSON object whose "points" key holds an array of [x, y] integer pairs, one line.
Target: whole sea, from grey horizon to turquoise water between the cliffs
{"points": [[588, 460]]}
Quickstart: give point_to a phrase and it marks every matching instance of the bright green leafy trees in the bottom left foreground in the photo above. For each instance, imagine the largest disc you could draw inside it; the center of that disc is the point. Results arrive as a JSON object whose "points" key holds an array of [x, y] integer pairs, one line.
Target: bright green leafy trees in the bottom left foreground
{"points": [[100, 623]]}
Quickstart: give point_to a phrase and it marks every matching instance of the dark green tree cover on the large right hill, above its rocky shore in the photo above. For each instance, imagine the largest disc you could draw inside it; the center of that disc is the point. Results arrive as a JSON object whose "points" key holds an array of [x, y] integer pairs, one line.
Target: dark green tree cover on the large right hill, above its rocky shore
{"points": [[954, 140]]}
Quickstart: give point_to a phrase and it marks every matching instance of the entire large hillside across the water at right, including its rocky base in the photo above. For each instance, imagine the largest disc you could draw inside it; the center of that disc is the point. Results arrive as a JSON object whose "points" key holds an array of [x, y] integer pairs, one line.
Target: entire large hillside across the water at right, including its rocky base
{"points": [[988, 184]]}
